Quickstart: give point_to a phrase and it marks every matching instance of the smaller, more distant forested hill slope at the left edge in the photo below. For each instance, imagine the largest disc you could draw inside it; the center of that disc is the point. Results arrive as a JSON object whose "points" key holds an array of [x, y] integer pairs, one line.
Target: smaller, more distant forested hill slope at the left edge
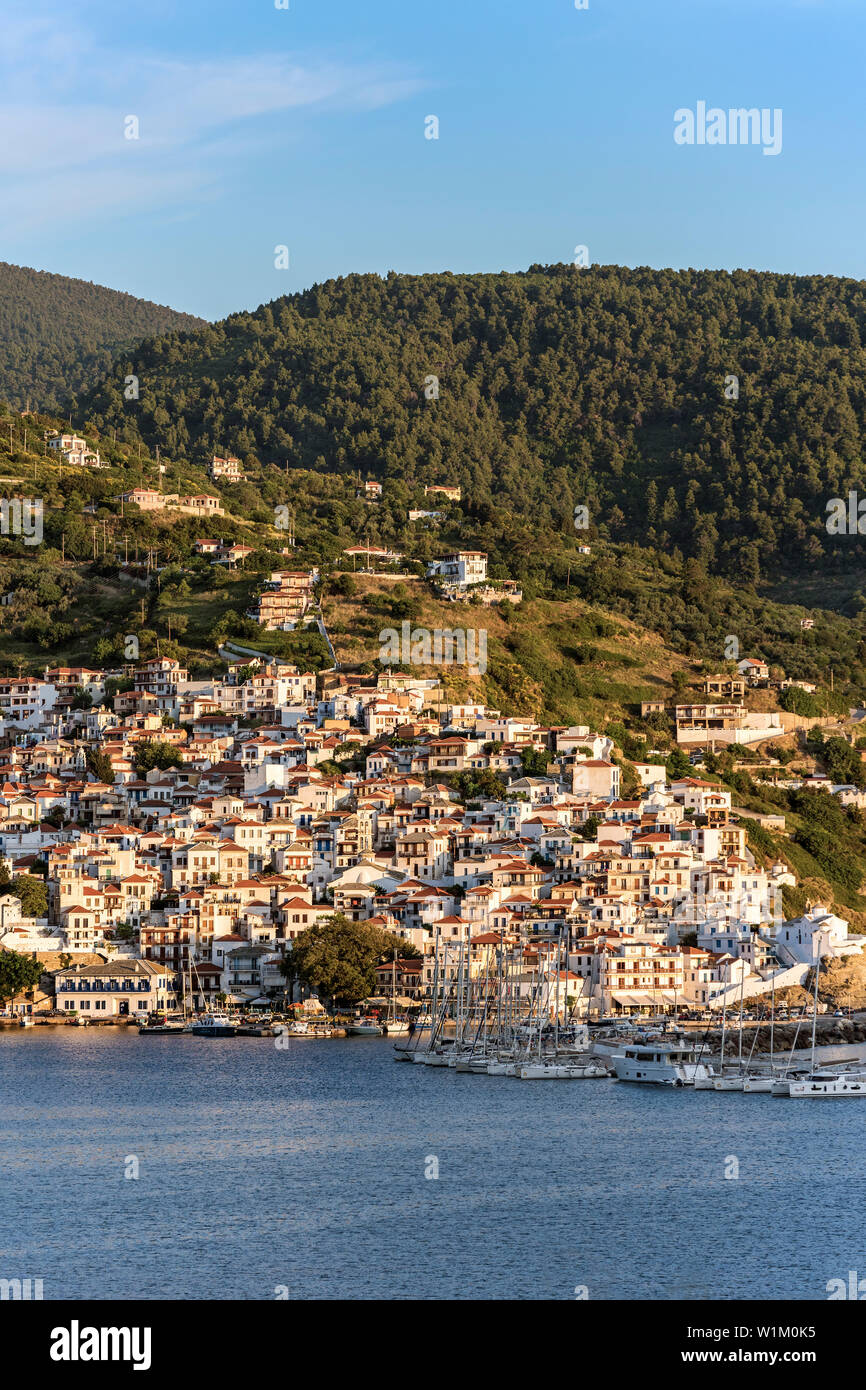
{"points": [[60, 336]]}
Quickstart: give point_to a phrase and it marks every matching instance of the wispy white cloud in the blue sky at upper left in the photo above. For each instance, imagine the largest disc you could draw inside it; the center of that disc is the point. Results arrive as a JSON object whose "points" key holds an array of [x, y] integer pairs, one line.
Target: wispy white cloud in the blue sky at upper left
{"points": [[65, 99]]}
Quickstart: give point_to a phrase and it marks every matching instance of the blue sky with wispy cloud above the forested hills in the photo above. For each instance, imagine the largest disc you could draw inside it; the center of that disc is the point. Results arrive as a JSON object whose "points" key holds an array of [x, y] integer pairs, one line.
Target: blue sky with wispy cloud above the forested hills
{"points": [[305, 127]]}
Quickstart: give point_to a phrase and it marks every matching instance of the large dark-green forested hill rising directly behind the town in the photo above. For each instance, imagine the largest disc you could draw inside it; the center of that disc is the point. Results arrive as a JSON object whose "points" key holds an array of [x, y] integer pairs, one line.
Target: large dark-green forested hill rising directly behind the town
{"points": [[557, 389]]}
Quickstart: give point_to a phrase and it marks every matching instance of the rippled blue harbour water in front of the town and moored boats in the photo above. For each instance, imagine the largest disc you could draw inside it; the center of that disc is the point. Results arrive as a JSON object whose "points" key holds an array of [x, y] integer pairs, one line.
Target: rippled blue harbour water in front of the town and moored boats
{"points": [[301, 1172]]}
